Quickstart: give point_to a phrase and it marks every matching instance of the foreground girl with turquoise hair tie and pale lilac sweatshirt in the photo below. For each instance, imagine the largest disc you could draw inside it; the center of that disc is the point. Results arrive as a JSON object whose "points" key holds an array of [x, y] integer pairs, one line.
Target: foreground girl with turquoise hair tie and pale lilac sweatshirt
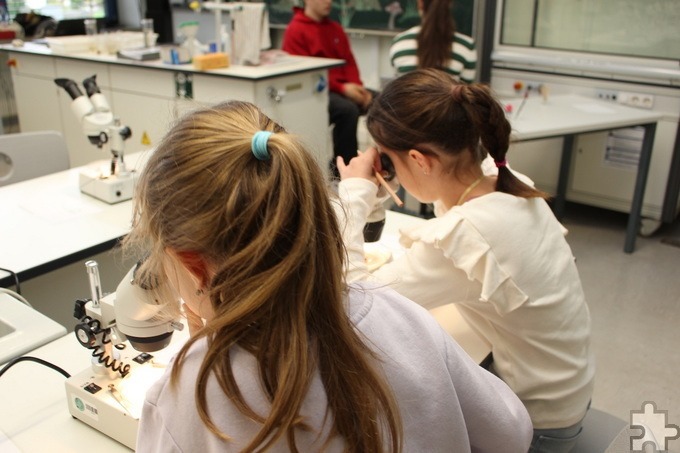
{"points": [[284, 355]]}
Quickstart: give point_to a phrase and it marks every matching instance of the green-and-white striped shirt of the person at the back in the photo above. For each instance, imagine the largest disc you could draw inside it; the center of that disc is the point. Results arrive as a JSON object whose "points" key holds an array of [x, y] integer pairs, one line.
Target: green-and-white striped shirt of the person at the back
{"points": [[463, 54]]}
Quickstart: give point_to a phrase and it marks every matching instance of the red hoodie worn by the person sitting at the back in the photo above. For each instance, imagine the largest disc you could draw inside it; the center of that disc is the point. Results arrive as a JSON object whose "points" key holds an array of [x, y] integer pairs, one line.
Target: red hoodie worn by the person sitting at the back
{"points": [[327, 39]]}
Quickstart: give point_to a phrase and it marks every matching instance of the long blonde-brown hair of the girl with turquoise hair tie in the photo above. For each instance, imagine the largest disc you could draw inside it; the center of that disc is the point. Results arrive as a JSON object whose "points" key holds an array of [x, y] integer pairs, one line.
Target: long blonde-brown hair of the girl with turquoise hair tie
{"points": [[269, 229]]}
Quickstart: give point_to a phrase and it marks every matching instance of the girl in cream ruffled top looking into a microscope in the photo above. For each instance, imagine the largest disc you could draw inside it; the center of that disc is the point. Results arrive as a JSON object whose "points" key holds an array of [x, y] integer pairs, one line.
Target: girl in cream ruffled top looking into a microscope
{"points": [[494, 248]]}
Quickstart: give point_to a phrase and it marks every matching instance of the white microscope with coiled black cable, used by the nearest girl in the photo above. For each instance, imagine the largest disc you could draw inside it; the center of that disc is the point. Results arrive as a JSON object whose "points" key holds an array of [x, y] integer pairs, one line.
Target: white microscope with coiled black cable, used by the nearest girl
{"points": [[122, 330]]}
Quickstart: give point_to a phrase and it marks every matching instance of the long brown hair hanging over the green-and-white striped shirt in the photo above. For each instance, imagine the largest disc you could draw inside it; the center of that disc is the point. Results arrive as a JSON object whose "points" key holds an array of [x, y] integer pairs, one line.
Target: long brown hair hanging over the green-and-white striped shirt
{"points": [[436, 32]]}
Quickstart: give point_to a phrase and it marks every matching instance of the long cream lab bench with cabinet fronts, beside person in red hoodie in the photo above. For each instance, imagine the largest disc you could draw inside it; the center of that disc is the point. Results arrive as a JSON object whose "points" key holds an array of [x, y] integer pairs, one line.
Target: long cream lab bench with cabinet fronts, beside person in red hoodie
{"points": [[148, 96]]}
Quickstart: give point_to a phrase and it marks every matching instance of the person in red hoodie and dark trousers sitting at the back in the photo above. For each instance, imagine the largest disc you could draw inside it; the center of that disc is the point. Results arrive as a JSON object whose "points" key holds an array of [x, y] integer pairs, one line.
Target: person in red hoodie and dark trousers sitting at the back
{"points": [[311, 33]]}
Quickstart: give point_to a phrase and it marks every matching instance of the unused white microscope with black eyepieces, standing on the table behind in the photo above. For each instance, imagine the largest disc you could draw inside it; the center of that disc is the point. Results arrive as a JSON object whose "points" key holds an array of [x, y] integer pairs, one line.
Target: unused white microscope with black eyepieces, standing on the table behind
{"points": [[102, 129]]}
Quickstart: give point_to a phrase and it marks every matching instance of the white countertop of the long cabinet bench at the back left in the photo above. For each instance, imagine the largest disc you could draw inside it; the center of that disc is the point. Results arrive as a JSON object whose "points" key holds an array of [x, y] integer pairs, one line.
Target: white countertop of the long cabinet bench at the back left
{"points": [[288, 64]]}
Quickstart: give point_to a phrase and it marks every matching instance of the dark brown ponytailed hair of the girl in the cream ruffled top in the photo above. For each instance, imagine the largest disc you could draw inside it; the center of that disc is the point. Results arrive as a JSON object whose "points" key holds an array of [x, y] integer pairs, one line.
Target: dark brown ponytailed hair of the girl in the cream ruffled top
{"points": [[427, 108]]}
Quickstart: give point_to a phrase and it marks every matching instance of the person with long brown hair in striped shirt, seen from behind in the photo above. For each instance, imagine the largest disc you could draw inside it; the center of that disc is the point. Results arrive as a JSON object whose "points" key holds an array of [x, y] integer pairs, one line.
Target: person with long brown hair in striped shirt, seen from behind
{"points": [[435, 44]]}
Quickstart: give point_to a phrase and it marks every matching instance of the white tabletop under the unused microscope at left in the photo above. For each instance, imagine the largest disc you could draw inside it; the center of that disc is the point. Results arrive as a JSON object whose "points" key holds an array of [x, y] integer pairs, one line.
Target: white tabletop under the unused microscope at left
{"points": [[46, 219]]}
